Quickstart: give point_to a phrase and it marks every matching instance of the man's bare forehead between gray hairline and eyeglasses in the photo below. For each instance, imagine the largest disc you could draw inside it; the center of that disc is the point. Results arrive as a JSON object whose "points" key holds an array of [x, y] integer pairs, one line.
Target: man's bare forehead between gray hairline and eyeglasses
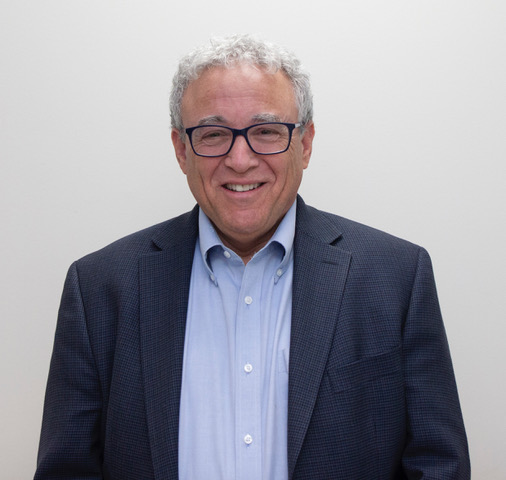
{"points": [[238, 95]]}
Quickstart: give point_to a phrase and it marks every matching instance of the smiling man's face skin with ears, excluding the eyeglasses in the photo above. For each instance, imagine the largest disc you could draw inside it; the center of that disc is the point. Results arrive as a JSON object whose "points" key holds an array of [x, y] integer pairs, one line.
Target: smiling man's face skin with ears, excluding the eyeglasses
{"points": [[245, 195]]}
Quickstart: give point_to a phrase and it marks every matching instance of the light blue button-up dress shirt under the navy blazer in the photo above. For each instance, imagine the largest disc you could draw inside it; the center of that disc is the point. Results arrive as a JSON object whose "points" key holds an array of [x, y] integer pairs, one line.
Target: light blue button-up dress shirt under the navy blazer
{"points": [[234, 395]]}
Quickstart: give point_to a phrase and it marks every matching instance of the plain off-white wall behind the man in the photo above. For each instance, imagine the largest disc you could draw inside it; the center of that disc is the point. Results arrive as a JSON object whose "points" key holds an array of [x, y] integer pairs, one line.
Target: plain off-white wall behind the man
{"points": [[410, 112]]}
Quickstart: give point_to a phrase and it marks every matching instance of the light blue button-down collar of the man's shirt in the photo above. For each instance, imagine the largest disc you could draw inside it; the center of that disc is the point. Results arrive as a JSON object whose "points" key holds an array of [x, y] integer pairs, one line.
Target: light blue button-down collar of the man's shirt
{"points": [[284, 235]]}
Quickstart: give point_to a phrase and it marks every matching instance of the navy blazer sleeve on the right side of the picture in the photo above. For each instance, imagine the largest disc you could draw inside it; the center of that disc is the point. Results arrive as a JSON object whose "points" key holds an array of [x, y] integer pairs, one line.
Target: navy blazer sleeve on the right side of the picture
{"points": [[436, 445]]}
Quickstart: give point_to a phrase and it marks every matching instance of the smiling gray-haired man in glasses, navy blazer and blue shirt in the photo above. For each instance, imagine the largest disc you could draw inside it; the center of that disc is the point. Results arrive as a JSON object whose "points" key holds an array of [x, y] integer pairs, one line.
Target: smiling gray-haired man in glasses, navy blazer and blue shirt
{"points": [[254, 337]]}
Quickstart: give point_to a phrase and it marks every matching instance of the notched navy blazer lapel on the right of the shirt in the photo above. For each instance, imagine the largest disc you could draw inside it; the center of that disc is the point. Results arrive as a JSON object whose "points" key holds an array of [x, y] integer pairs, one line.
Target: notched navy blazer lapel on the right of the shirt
{"points": [[320, 272]]}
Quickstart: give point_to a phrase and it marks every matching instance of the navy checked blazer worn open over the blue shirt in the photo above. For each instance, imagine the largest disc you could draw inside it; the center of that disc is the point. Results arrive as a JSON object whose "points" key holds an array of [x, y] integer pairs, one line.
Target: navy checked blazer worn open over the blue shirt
{"points": [[371, 395]]}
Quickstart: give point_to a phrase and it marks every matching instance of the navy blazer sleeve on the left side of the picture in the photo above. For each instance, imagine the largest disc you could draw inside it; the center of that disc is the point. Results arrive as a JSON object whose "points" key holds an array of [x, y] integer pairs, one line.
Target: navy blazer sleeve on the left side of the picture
{"points": [[70, 445]]}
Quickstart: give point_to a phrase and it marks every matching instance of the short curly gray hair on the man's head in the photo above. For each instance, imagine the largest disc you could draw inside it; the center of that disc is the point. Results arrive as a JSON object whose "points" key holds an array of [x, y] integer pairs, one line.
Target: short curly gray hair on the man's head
{"points": [[230, 51]]}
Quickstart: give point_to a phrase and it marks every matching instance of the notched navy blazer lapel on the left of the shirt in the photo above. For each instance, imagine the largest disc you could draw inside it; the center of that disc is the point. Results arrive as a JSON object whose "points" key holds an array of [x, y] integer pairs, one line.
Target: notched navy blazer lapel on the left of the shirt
{"points": [[164, 282]]}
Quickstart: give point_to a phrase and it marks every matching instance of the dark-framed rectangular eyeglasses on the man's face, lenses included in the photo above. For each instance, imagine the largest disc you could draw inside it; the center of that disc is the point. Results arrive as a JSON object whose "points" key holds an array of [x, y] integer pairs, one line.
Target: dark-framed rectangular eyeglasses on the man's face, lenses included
{"points": [[267, 138]]}
